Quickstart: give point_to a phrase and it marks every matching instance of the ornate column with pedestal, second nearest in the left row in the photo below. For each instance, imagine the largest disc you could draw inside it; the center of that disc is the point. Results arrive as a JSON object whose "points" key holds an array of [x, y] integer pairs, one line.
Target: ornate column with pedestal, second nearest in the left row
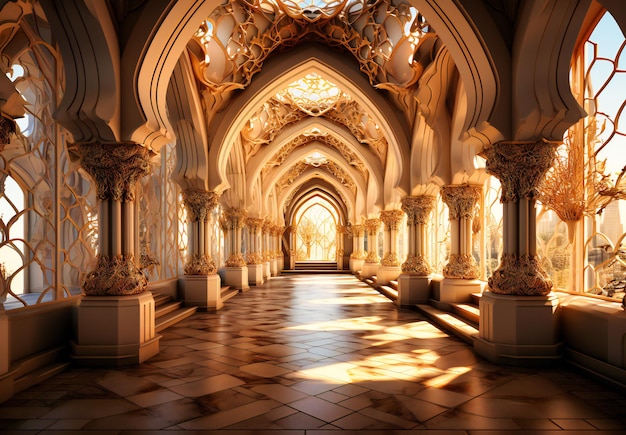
{"points": [[201, 286]]}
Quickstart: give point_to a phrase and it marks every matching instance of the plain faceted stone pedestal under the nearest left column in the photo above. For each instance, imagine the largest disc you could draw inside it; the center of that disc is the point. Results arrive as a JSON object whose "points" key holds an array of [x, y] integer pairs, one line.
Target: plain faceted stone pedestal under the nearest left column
{"points": [[114, 331]]}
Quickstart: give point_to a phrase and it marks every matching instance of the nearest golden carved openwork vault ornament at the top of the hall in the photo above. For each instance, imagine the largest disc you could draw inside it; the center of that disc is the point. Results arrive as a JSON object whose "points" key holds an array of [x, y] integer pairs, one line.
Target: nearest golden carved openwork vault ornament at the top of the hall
{"points": [[235, 40]]}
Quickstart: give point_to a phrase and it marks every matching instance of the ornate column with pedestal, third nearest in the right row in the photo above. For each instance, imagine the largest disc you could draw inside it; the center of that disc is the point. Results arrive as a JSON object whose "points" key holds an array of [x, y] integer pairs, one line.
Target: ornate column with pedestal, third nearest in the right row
{"points": [[414, 282]]}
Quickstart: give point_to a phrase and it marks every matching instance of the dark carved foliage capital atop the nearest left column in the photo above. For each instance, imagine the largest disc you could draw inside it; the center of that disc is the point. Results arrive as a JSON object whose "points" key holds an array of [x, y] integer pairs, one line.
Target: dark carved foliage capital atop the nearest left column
{"points": [[115, 167]]}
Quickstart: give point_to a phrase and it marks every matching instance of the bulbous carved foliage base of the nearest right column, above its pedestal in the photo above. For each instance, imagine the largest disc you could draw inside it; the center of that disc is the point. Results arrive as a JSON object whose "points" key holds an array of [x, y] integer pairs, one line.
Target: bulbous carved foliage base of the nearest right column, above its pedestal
{"points": [[523, 276]]}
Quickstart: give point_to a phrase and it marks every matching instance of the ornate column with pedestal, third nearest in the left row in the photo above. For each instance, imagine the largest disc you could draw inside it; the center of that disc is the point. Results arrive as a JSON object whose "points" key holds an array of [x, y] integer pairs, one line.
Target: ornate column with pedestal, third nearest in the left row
{"points": [[235, 273]]}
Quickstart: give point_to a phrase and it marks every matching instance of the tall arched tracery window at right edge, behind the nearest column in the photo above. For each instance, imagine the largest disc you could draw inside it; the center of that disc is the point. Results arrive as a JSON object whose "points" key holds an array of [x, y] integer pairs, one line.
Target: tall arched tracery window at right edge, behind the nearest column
{"points": [[582, 220]]}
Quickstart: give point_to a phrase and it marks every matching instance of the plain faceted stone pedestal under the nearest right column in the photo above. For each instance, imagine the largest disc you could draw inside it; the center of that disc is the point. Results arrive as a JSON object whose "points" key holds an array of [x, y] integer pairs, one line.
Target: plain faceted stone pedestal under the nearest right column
{"points": [[518, 329]]}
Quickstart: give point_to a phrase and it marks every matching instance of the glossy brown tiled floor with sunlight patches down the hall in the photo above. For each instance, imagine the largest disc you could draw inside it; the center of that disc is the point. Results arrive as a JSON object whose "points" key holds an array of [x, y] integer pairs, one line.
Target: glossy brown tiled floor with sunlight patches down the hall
{"points": [[313, 355]]}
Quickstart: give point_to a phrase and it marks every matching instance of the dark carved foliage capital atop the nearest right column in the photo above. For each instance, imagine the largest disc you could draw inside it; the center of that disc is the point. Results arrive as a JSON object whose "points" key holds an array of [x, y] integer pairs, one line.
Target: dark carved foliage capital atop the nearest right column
{"points": [[520, 167]]}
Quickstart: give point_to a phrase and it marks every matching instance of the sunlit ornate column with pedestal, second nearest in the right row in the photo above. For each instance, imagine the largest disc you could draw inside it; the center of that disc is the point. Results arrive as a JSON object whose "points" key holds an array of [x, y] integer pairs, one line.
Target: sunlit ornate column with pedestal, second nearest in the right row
{"points": [[461, 273]]}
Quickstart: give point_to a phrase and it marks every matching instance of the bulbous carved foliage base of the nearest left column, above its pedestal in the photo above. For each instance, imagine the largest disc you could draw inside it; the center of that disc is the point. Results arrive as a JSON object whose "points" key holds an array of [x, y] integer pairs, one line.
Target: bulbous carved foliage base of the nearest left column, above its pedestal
{"points": [[115, 276]]}
